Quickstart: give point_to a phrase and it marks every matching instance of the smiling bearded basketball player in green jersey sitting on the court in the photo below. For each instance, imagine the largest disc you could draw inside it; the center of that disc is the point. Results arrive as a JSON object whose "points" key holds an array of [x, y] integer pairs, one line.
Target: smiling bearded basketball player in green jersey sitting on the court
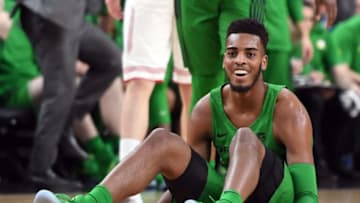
{"points": [[261, 132]]}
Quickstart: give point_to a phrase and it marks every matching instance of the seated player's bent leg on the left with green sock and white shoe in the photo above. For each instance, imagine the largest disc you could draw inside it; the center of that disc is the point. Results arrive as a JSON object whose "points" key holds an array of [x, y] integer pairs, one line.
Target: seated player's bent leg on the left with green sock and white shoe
{"points": [[162, 152]]}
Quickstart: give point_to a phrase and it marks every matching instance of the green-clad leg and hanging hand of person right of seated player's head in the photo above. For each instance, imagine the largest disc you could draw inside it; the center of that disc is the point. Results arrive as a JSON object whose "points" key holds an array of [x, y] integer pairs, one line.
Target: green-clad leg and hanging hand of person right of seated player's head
{"points": [[276, 22]]}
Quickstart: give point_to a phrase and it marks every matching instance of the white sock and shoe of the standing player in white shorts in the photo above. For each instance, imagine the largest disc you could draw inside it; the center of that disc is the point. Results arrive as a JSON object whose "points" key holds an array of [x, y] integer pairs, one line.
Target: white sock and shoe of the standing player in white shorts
{"points": [[126, 147]]}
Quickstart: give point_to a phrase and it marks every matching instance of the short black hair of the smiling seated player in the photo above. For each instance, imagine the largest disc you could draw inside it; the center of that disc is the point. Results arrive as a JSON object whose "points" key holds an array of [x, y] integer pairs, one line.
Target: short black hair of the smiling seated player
{"points": [[249, 26]]}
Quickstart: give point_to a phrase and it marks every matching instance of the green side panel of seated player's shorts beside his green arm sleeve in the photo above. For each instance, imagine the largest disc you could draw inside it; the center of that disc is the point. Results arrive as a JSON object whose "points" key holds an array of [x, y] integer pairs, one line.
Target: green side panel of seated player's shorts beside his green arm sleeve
{"points": [[285, 192]]}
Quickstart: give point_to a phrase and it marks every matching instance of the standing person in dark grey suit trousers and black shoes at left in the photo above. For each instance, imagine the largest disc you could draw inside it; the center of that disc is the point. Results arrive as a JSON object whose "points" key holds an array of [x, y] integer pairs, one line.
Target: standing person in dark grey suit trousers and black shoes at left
{"points": [[59, 36]]}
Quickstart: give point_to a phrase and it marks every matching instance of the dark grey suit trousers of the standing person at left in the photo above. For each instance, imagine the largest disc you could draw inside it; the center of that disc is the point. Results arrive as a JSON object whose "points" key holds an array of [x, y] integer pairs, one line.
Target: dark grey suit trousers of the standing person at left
{"points": [[57, 50]]}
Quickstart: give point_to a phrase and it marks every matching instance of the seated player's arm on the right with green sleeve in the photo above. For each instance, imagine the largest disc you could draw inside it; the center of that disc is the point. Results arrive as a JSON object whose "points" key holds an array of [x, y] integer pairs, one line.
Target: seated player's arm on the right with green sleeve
{"points": [[292, 127]]}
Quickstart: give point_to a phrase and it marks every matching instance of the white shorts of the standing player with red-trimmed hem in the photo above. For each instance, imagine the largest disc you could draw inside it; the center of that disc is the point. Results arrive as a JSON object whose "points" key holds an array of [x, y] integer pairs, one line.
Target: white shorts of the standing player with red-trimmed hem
{"points": [[150, 36]]}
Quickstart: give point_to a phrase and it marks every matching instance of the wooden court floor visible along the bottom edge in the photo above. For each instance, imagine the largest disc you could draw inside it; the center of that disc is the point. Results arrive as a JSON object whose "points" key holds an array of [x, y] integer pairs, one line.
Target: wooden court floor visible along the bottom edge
{"points": [[326, 196]]}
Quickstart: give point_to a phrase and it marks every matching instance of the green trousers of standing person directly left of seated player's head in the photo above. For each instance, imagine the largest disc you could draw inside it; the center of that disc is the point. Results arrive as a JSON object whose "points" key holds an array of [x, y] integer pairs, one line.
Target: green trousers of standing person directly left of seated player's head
{"points": [[204, 26]]}
